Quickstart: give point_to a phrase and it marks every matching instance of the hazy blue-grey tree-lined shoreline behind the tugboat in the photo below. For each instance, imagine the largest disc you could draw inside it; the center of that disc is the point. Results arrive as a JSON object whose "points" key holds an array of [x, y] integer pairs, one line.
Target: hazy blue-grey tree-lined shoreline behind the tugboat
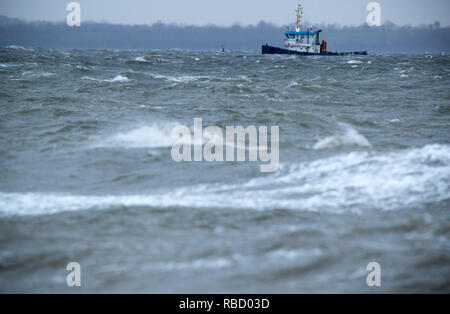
{"points": [[389, 38]]}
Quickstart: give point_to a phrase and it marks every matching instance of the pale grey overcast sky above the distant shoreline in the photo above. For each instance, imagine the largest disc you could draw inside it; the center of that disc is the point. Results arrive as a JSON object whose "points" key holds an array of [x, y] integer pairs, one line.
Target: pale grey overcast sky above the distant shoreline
{"points": [[228, 12]]}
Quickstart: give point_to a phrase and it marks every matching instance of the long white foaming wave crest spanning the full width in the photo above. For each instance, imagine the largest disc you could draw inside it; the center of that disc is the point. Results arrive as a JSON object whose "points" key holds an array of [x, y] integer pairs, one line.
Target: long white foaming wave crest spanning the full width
{"points": [[349, 182]]}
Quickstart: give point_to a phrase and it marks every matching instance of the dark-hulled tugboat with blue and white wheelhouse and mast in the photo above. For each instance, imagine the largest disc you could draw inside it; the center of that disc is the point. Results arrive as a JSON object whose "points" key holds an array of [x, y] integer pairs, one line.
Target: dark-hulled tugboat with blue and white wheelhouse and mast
{"points": [[305, 42]]}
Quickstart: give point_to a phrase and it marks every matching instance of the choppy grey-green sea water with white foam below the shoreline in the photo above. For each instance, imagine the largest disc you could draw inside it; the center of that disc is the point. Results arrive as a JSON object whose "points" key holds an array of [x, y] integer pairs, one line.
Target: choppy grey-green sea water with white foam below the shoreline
{"points": [[86, 173]]}
